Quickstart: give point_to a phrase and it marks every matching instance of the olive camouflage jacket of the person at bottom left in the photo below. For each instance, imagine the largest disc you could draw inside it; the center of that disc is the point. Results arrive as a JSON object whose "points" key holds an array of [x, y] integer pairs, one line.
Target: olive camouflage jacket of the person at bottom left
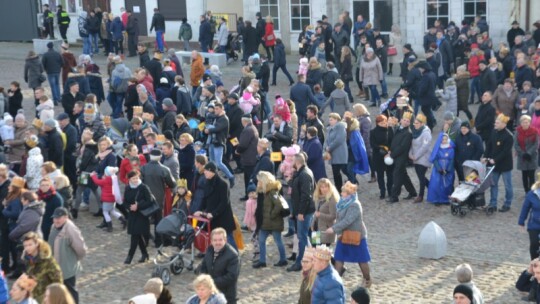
{"points": [[45, 270]]}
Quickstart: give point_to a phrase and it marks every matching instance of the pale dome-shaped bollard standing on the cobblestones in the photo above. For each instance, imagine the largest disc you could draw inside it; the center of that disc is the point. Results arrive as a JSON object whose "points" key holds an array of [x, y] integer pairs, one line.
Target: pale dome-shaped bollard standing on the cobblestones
{"points": [[432, 242]]}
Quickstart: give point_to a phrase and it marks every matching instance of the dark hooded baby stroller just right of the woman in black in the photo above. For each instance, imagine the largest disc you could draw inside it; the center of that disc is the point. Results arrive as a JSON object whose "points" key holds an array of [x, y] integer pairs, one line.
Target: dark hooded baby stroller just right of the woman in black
{"points": [[174, 227]]}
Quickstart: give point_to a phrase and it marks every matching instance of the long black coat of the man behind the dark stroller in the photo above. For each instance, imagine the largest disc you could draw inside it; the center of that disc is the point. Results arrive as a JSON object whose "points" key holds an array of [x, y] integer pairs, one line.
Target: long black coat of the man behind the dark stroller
{"points": [[217, 202]]}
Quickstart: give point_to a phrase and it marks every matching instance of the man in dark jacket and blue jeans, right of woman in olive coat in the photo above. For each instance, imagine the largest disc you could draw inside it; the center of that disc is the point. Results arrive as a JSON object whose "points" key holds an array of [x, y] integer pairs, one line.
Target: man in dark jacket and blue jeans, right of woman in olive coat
{"points": [[303, 185]]}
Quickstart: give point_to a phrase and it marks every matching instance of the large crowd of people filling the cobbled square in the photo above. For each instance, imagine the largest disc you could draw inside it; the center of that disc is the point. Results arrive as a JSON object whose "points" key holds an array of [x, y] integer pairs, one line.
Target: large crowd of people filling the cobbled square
{"points": [[169, 144]]}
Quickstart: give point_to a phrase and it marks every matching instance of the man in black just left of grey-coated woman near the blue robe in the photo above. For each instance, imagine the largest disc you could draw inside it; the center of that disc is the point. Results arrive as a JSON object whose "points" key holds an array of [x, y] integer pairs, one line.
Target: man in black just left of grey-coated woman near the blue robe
{"points": [[399, 151]]}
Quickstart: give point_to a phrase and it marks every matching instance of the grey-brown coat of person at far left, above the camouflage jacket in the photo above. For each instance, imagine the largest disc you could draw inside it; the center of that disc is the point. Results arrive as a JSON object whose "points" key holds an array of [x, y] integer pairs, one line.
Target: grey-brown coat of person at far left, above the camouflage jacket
{"points": [[29, 220]]}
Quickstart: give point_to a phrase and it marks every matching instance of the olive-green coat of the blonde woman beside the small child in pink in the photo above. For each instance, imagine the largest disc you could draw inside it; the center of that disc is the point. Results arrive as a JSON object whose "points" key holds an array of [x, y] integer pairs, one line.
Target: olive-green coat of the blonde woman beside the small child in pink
{"points": [[271, 212]]}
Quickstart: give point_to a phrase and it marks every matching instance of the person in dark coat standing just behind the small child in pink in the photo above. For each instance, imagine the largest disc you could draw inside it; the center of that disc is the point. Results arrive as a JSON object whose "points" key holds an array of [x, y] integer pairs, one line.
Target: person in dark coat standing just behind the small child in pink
{"points": [[247, 149]]}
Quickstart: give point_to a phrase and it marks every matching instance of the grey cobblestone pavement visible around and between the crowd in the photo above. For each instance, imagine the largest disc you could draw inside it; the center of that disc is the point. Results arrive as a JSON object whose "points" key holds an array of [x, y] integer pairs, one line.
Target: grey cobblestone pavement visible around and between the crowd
{"points": [[493, 245]]}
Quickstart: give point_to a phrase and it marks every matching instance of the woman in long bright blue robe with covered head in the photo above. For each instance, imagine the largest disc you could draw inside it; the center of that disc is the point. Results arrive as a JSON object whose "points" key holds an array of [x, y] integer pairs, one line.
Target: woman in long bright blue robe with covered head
{"points": [[441, 183]]}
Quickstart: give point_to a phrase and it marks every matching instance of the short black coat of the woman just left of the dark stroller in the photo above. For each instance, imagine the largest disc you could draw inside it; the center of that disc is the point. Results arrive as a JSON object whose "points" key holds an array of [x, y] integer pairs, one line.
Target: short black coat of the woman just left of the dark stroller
{"points": [[138, 224]]}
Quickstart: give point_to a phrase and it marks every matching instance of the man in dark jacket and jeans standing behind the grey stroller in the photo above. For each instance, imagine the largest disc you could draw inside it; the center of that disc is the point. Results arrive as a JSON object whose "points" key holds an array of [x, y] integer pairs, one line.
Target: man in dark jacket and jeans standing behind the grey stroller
{"points": [[499, 154]]}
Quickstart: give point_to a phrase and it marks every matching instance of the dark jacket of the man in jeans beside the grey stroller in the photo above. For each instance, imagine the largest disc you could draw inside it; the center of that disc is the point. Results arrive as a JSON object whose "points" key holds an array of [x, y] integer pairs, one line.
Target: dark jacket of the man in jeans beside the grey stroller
{"points": [[499, 149]]}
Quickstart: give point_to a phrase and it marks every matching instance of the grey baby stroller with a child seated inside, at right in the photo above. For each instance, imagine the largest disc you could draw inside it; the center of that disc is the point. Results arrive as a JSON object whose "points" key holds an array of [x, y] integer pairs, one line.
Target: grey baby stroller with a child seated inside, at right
{"points": [[470, 193]]}
